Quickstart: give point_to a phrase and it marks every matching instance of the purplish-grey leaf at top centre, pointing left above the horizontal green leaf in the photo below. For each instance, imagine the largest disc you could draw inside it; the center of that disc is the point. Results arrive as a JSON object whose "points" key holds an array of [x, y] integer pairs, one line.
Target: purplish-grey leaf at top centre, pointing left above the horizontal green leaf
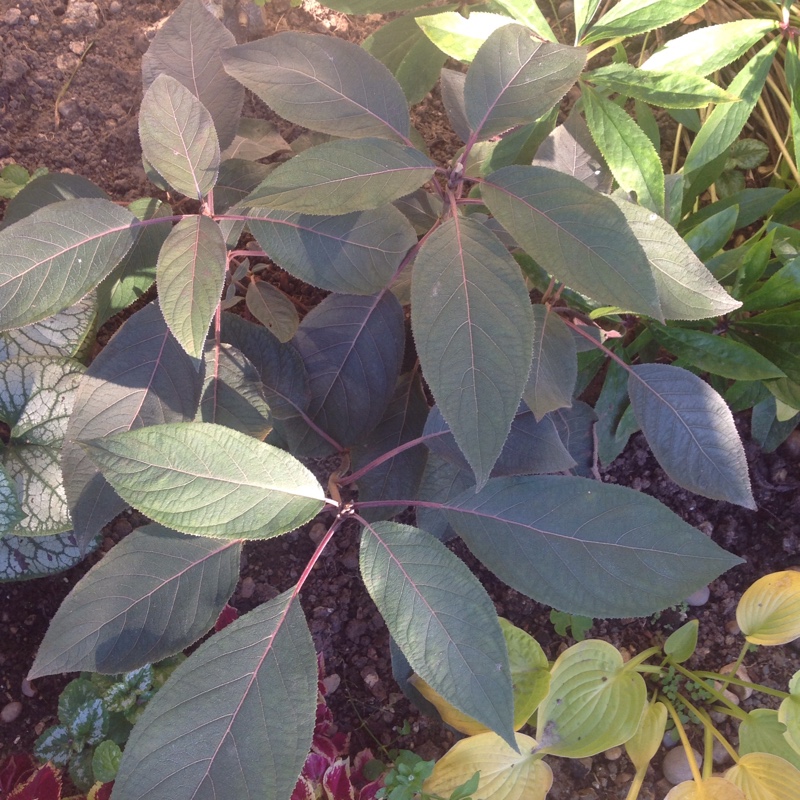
{"points": [[322, 83]]}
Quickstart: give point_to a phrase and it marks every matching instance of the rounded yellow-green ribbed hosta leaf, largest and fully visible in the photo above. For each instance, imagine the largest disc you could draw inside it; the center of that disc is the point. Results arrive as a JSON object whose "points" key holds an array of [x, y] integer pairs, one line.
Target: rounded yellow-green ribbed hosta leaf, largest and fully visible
{"points": [[594, 703]]}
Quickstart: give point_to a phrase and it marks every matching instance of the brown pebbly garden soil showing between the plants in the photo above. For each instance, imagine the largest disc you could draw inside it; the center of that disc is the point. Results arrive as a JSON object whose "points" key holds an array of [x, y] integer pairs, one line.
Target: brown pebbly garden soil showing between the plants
{"points": [[96, 136]]}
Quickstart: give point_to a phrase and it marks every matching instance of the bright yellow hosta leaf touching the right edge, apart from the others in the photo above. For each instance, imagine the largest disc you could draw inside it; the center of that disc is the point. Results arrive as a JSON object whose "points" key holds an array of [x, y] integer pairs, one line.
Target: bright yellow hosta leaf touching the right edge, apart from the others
{"points": [[769, 611]]}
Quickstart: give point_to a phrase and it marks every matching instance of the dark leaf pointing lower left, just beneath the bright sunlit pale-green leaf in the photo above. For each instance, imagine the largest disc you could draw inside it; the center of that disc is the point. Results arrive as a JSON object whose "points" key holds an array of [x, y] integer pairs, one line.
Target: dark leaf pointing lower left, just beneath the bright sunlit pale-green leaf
{"points": [[152, 596]]}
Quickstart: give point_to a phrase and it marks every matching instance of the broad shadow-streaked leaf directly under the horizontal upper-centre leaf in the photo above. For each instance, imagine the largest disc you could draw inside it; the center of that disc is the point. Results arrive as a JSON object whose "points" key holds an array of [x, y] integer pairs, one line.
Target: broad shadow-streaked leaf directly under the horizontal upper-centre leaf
{"points": [[354, 253]]}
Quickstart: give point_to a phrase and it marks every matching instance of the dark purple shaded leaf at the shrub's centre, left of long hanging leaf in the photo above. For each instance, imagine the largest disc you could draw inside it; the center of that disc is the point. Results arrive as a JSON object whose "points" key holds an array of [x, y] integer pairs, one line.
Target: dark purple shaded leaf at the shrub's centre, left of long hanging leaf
{"points": [[352, 347]]}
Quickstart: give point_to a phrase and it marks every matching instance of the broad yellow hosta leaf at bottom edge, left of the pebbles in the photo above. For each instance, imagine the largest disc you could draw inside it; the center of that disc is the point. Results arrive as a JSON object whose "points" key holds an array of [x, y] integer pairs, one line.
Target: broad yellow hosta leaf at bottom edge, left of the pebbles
{"points": [[505, 775]]}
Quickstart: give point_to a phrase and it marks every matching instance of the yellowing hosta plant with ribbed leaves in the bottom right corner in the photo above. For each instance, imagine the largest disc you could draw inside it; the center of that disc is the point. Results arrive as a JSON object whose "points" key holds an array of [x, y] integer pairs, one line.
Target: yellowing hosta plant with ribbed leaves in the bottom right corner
{"points": [[590, 700]]}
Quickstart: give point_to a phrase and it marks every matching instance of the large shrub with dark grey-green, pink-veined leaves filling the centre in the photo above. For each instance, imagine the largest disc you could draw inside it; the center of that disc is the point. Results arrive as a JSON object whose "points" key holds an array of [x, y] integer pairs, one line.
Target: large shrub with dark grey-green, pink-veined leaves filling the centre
{"points": [[201, 419]]}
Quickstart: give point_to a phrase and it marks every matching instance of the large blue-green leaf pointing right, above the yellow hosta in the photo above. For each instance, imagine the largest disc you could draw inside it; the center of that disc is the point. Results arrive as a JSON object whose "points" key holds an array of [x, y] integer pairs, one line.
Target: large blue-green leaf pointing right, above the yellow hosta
{"points": [[585, 547]]}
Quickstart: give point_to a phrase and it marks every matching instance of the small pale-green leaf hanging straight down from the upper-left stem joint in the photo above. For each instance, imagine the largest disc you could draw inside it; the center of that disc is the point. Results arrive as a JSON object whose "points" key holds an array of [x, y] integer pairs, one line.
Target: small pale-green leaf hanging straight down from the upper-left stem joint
{"points": [[190, 273]]}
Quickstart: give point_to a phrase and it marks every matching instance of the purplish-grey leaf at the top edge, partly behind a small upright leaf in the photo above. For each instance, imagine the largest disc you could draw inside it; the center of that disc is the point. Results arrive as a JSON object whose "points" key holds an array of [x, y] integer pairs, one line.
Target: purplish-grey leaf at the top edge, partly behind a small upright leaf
{"points": [[188, 48]]}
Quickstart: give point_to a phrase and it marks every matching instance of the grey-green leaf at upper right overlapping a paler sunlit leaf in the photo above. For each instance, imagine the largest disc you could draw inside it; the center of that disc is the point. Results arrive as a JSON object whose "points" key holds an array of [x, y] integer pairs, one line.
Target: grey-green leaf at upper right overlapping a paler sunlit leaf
{"points": [[577, 234]]}
